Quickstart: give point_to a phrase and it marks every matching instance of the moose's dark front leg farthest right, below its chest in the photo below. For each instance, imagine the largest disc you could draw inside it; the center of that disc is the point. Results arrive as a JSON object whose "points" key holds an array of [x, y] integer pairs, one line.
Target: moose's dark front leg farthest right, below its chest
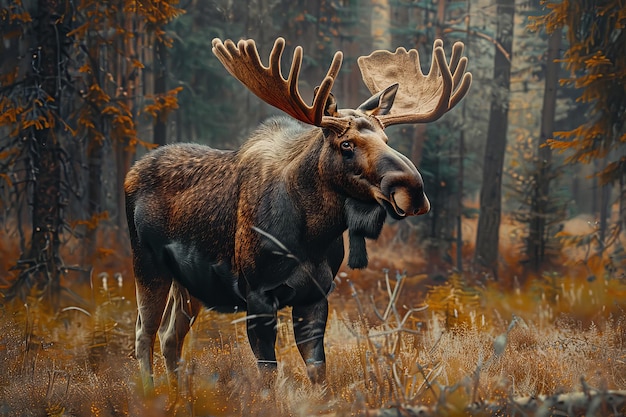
{"points": [[309, 325]]}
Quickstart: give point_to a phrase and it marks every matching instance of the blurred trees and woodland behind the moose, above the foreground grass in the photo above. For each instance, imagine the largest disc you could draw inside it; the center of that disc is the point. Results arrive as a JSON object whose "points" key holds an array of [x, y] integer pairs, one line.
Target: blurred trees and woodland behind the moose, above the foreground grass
{"points": [[526, 176]]}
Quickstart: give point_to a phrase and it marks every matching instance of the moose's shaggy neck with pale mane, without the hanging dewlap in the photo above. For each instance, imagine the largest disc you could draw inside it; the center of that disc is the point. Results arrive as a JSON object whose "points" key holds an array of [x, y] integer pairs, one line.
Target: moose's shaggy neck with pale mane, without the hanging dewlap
{"points": [[280, 179]]}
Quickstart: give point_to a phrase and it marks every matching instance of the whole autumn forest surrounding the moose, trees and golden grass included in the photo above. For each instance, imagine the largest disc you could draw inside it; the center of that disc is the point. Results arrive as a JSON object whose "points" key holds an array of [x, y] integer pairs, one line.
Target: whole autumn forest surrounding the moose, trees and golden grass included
{"points": [[507, 298]]}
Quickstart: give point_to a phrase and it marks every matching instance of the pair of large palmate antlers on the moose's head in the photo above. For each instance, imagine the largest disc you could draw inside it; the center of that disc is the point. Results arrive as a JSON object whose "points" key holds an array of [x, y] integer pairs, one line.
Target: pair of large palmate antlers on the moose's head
{"points": [[420, 98]]}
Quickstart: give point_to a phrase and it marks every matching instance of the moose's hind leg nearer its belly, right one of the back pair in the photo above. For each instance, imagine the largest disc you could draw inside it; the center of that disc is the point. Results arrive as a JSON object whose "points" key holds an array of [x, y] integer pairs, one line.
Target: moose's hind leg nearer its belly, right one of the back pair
{"points": [[180, 313]]}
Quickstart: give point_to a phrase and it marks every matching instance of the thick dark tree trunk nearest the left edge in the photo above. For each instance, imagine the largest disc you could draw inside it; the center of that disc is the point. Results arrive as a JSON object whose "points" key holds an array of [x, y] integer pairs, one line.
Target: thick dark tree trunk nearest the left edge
{"points": [[36, 104]]}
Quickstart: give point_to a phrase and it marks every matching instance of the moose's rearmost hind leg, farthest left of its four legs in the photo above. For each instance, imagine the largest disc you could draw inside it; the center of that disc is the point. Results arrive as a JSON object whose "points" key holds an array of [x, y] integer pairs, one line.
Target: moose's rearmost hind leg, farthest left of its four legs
{"points": [[151, 299]]}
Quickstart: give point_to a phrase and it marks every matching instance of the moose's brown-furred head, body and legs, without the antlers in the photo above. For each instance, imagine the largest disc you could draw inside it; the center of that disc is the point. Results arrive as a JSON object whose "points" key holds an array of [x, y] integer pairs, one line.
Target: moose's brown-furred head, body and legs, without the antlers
{"points": [[260, 228]]}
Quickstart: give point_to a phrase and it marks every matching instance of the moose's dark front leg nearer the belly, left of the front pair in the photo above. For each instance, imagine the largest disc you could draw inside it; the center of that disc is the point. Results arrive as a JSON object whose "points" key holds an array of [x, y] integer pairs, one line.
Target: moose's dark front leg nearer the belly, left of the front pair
{"points": [[261, 326]]}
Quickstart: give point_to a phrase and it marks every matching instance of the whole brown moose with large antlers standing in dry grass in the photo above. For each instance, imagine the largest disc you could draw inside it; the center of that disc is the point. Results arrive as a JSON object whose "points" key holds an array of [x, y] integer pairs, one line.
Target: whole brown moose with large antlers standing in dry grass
{"points": [[261, 227]]}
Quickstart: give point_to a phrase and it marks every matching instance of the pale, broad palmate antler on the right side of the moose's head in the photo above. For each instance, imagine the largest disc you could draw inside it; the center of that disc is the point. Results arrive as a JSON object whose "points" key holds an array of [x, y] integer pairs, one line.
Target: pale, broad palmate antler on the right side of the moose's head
{"points": [[420, 98]]}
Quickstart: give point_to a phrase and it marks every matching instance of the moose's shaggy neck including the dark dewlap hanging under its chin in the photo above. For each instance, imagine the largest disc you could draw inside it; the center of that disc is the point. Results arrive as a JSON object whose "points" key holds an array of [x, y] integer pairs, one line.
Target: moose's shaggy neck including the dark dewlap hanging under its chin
{"points": [[290, 179]]}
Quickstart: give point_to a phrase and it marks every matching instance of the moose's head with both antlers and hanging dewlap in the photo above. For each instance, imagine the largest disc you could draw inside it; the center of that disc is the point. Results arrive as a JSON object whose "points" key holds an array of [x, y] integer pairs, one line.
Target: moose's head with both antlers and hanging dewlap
{"points": [[357, 159]]}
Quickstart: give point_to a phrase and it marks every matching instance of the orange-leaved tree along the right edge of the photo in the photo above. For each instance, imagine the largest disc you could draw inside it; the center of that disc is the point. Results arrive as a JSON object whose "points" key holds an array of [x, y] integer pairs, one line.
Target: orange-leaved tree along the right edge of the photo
{"points": [[596, 61]]}
